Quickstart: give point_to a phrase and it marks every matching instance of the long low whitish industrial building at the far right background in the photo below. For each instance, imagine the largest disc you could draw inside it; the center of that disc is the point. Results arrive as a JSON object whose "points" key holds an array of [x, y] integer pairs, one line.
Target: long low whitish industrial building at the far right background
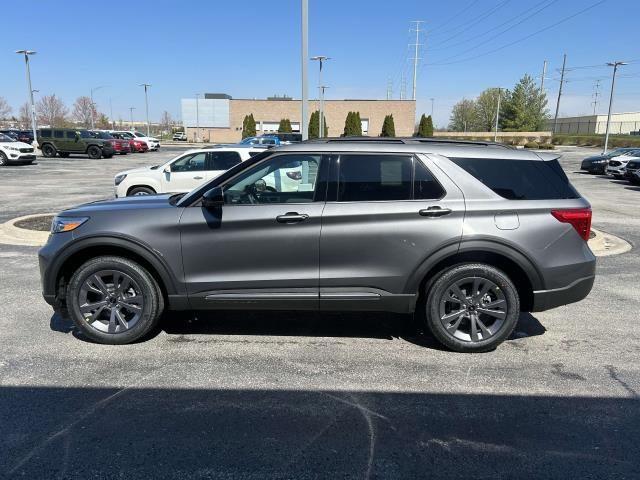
{"points": [[621, 124]]}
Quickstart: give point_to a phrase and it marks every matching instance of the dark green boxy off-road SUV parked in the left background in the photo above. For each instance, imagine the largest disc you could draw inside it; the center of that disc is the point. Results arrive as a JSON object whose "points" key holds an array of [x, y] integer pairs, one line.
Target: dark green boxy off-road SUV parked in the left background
{"points": [[65, 141]]}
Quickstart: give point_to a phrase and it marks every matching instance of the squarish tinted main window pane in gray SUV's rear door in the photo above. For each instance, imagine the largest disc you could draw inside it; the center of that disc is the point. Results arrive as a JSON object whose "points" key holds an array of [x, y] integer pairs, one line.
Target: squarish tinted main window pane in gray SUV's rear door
{"points": [[374, 177]]}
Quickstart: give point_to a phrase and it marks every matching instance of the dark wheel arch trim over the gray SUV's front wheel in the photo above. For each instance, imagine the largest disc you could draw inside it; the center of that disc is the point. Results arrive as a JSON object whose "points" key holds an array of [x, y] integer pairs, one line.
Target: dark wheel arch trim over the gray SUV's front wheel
{"points": [[67, 261]]}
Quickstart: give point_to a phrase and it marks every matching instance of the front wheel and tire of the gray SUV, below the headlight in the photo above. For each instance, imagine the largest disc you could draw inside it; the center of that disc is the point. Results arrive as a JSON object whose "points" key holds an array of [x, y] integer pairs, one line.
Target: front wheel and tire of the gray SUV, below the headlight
{"points": [[118, 317]]}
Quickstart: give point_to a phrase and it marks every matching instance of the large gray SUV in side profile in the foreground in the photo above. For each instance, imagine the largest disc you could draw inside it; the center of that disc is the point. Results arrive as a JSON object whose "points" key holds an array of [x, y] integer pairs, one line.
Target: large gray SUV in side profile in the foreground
{"points": [[465, 234]]}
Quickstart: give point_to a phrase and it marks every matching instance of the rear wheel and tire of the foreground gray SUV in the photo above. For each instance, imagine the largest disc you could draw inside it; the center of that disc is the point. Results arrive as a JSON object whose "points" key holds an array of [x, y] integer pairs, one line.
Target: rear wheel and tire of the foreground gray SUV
{"points": [[472, 330]]}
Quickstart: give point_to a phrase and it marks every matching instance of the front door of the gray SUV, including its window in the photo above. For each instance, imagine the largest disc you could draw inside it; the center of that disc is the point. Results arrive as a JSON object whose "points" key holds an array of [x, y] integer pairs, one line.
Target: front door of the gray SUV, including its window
{"points": [[261, 248]]}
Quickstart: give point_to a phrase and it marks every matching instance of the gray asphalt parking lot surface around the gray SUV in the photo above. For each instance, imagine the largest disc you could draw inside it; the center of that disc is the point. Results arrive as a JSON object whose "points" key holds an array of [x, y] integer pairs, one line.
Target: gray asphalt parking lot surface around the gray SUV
{"points": [[301, 395]]}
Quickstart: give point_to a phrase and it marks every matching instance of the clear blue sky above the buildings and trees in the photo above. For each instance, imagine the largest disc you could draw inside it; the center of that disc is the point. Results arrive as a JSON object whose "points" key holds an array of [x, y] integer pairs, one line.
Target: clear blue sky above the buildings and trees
{"points": [[251, 49]]}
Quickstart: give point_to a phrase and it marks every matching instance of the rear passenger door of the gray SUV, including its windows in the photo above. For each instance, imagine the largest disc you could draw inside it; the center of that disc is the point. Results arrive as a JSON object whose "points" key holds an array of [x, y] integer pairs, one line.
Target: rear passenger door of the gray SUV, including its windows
{"points": [[385, 215]]}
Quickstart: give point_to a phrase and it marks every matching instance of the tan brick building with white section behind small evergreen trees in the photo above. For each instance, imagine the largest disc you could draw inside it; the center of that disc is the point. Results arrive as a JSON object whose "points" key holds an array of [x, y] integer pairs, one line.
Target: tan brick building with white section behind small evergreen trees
{"points": [[220, 117]]}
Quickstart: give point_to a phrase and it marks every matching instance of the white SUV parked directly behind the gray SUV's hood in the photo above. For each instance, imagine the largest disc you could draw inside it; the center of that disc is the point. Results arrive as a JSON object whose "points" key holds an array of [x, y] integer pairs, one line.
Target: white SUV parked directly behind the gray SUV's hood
{"points": [[183, 173]]}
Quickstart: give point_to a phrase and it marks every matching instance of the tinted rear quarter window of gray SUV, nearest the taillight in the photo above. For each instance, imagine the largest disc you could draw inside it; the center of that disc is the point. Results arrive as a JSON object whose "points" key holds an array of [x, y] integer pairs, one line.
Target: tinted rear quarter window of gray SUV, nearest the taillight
{"points": [[520, 179]]}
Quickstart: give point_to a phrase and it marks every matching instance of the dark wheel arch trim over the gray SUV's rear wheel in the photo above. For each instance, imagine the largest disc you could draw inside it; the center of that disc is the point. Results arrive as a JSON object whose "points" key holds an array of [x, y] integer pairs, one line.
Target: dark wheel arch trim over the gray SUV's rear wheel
{"points": [[516, 265]]}
